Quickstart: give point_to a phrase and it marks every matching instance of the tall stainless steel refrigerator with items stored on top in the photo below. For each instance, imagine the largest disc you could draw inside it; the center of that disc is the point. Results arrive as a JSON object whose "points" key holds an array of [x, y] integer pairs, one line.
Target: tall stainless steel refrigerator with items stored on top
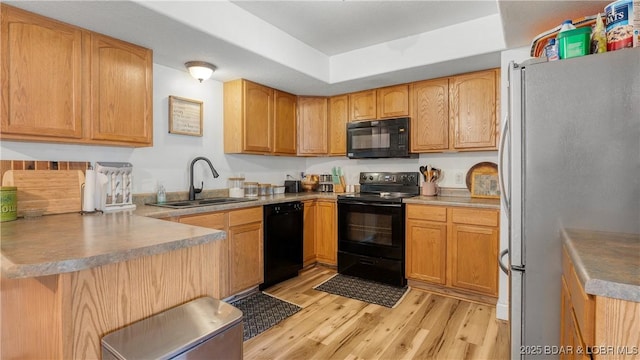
{"points": [[570, 157]]}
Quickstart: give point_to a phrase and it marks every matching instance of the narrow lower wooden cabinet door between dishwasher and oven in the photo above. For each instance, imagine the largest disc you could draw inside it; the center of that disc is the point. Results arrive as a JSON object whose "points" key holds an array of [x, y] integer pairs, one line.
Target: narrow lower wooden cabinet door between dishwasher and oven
{"points": [[326, 235]]}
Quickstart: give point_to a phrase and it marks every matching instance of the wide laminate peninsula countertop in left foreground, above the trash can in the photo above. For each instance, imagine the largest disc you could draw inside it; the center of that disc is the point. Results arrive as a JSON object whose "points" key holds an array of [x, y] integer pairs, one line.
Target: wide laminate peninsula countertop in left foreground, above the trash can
{"points": [[55, 244]]}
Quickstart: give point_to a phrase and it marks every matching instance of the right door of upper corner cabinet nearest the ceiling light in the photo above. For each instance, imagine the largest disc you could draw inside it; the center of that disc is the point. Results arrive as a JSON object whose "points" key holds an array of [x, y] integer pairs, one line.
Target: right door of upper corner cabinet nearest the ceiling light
{"points": [[284, 123]]}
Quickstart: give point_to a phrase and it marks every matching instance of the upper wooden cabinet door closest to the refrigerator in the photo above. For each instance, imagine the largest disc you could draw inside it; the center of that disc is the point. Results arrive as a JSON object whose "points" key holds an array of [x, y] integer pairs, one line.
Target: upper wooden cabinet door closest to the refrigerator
{"points": [[472, 110]]}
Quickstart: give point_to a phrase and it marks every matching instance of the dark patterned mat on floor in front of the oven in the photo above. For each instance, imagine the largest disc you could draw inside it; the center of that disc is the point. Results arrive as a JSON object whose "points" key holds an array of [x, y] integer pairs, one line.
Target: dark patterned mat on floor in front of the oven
{"points": [[364, 290]]}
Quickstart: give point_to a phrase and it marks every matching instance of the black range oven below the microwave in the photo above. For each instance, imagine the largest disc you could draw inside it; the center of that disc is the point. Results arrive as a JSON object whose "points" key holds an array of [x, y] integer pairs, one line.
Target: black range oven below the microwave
{"points": [[371, 227]]}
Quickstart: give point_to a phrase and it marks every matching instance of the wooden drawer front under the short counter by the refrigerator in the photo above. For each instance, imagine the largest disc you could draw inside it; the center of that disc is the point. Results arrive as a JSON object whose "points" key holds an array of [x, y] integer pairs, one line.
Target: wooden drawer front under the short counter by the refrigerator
{"points": [[583, 304]]}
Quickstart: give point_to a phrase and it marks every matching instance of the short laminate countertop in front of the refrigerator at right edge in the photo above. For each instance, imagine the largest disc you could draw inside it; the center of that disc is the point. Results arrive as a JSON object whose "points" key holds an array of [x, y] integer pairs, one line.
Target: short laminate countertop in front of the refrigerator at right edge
{"points": [[607, 263]]}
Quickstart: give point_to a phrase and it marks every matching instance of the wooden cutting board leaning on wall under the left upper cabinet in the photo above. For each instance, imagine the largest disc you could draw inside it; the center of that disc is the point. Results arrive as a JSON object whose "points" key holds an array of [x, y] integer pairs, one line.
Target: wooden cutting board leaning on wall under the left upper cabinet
{"points": [[56, 192]]}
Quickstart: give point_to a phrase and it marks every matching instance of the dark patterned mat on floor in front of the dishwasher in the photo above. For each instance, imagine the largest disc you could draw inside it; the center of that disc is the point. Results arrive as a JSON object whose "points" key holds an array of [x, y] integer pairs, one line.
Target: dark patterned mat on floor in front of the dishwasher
{"points": [[262, 311]]}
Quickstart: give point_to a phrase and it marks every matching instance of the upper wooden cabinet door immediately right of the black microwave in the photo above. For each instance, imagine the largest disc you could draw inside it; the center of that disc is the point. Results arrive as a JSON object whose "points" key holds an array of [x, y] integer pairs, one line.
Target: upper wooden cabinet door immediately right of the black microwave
{"points": [[430, 116]]}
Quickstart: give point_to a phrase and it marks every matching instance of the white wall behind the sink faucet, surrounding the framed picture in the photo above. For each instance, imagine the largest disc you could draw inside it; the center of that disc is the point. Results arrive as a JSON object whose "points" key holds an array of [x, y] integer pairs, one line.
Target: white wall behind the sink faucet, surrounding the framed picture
{"points": [[168, 160]]}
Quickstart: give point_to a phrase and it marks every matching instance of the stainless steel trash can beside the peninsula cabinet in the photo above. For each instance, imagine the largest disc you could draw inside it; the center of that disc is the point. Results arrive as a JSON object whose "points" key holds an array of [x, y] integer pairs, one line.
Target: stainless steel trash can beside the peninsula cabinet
{"points": [[204, 328]]}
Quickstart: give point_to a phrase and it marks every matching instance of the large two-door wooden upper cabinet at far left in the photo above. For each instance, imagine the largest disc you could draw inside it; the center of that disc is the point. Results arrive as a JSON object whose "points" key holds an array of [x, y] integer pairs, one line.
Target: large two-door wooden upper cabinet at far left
{"points": [[102, 86]]}
